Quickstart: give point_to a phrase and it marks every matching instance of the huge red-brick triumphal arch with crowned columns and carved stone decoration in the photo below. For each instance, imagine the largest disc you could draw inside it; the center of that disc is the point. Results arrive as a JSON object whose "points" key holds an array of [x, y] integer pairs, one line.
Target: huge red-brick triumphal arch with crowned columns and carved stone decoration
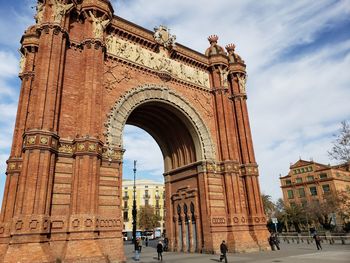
{"points": [[85, 74]]}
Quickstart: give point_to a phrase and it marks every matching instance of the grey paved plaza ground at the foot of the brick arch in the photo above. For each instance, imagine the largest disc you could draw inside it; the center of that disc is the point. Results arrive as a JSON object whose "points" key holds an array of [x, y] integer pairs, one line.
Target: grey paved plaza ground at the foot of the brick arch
{"points": [[289, 253]]}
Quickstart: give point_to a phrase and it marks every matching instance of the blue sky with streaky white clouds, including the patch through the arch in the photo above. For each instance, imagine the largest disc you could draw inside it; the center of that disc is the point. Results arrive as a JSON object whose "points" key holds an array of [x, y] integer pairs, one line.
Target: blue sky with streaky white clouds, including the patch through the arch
{"points": [[298, 63]]}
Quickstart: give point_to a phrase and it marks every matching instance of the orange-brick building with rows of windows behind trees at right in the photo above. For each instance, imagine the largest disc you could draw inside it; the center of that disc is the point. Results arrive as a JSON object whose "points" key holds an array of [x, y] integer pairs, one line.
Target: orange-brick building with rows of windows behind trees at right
{"points": [[308, 181]]}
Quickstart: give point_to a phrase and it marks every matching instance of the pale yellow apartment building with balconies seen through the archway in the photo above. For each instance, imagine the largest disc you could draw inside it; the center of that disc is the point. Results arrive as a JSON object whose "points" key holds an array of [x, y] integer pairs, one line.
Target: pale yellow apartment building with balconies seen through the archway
{"points": [[147, 193]]}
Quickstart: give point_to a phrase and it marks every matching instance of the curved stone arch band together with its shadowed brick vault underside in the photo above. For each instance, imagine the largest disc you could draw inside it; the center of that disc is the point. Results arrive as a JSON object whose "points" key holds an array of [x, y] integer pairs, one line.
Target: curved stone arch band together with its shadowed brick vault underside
{"points": [[170, 118]]}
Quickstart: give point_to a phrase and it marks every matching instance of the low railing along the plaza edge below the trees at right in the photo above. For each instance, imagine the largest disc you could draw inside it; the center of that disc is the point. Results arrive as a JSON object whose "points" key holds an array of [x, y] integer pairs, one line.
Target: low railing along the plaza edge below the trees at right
{"points": [[309, 239]]}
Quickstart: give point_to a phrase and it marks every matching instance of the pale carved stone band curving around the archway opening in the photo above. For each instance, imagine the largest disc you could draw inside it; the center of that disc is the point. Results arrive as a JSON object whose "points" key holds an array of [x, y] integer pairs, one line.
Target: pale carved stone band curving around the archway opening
{"points": [[119, 113]]}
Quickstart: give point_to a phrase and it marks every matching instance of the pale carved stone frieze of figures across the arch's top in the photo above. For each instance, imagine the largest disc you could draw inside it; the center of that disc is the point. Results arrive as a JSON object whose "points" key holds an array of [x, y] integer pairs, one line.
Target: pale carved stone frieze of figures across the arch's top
{"points": [[156, 61]]}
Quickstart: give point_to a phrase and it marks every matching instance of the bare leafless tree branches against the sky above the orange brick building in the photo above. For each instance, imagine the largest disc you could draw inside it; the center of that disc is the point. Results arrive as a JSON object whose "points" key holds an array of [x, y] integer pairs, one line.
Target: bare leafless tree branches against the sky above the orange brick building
{"points": [[341, 145]]}
